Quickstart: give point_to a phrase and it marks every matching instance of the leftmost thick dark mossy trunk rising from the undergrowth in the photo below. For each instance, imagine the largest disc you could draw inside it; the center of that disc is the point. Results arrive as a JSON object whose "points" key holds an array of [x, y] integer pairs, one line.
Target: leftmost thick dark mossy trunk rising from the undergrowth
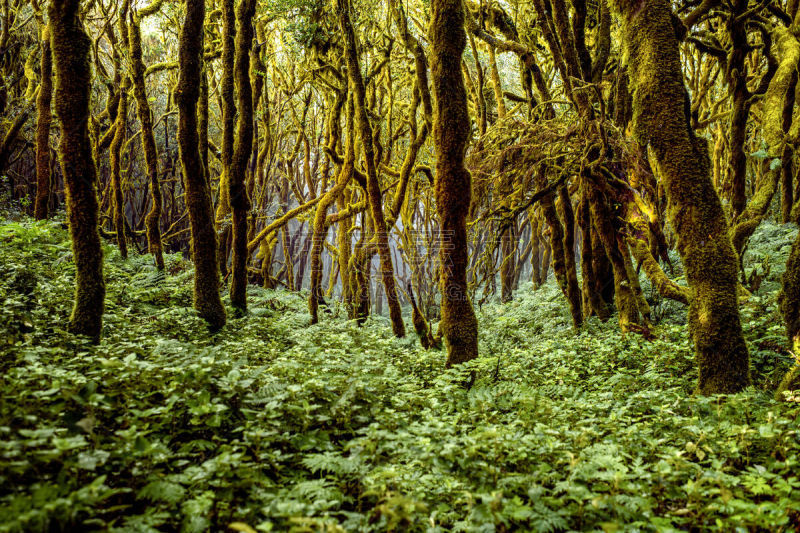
{"points": [[70, 48]]}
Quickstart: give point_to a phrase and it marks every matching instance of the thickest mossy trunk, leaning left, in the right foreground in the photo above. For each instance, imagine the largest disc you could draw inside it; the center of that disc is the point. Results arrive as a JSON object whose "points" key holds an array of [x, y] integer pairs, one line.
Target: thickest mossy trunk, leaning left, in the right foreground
{"points": [[660, 104]]}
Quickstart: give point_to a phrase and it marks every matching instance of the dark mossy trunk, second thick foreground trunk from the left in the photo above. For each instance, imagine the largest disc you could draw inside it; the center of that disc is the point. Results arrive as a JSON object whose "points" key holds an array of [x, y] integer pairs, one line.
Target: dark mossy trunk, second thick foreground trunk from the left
{"points": [[198, 197]]}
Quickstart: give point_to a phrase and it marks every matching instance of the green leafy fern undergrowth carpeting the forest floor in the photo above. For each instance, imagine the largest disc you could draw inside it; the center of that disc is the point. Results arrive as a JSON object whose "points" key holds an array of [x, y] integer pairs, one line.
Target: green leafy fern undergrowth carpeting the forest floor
{"points": [[273, 424]]}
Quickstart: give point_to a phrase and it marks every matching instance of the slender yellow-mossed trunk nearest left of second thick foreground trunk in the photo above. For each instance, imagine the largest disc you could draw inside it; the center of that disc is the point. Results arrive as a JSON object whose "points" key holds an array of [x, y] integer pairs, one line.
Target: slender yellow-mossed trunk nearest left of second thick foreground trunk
{"points": [[153, 218]]}
